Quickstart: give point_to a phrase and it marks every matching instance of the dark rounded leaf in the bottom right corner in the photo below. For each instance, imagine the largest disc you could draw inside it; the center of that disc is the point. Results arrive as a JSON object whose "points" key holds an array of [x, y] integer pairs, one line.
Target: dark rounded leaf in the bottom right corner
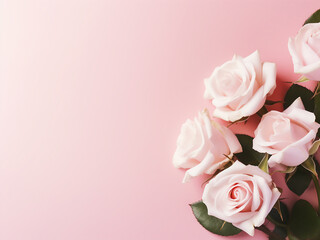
{"points": [[304, 222]]}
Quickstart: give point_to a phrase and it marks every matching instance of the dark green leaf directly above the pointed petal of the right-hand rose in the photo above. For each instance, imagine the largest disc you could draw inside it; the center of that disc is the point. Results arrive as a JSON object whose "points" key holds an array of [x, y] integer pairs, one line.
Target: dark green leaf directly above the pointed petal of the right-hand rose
{"points": [[296, 91]]}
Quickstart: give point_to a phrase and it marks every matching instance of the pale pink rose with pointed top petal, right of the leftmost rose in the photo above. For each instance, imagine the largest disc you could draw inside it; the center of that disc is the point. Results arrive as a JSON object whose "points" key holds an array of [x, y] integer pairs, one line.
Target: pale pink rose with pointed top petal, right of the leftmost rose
{"points": [[286, 135]]}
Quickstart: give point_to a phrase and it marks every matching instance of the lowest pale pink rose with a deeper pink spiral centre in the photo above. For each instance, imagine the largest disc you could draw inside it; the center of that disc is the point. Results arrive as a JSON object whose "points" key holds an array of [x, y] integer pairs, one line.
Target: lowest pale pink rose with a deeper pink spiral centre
{"points": [[241, 195]]}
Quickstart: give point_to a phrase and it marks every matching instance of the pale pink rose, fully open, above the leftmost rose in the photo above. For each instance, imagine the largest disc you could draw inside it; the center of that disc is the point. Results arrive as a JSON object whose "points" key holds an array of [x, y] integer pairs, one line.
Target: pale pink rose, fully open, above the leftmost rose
{"points": [[239, 87]]}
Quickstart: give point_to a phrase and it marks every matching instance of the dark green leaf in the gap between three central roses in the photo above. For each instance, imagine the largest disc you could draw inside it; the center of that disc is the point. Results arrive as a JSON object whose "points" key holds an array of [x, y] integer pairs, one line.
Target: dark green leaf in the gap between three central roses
{"points": [[248, 155]]}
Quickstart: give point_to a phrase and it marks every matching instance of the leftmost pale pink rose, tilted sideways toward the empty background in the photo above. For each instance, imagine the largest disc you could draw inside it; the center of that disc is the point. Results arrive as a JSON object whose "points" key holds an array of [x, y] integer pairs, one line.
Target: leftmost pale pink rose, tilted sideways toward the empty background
{"points": [[204, 146]]}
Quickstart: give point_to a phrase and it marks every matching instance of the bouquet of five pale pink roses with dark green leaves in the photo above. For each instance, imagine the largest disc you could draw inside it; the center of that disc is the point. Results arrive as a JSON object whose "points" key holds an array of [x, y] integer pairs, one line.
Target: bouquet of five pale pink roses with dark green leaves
{"points": [[240, 194]]}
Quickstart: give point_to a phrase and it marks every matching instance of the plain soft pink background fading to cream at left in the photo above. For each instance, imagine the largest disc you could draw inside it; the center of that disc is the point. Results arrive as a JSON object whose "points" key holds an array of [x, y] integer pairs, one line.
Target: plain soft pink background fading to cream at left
{"points": [[92, 97]]}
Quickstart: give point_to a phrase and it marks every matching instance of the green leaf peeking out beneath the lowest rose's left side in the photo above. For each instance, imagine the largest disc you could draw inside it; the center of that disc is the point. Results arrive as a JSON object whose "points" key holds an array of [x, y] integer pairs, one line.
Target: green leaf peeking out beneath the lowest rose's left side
{"points": [[212, 223]]}
